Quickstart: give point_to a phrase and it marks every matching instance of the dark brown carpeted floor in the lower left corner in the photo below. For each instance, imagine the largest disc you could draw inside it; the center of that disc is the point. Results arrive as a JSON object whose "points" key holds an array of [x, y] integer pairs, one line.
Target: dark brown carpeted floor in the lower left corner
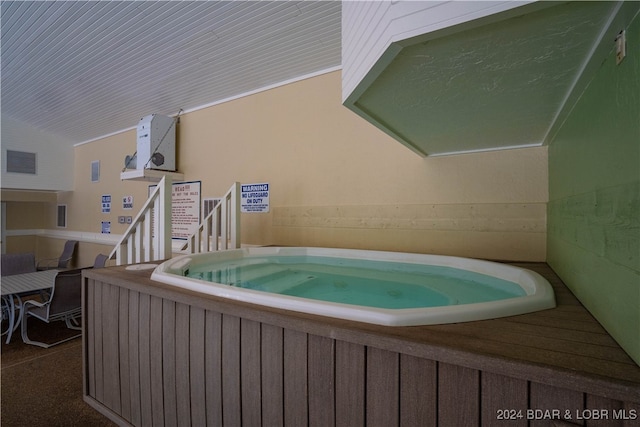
{"points": [[43, 387]]}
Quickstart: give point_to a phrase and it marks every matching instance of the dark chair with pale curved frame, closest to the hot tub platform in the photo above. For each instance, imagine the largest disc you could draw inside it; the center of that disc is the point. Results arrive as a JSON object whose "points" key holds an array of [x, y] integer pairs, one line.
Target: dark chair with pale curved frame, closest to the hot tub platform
{"points": [[65, 303]]}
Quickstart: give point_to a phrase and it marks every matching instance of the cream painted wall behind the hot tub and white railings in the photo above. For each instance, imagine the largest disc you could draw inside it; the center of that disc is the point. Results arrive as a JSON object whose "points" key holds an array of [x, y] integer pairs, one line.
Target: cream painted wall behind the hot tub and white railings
{"points": [[336, 180]]}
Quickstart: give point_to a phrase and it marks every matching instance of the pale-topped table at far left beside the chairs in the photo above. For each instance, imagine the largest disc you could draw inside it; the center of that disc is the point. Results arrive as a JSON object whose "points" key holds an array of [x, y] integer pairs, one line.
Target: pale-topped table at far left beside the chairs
{"points": [[14, 285]]}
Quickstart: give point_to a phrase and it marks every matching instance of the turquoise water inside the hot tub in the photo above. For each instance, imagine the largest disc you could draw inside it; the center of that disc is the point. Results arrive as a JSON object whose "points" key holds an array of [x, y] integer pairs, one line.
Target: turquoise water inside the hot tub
{"points": [[359, 282]]}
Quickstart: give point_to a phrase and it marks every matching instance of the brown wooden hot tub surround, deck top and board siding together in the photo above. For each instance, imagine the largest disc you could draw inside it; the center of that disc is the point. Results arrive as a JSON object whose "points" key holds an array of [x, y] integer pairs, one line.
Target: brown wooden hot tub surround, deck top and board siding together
{"points": [[157, 355]]}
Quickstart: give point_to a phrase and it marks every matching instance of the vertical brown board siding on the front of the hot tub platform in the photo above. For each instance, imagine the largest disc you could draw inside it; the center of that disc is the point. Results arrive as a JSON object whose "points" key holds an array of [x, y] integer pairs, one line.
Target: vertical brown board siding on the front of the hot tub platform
{"points": [[153, 361]]}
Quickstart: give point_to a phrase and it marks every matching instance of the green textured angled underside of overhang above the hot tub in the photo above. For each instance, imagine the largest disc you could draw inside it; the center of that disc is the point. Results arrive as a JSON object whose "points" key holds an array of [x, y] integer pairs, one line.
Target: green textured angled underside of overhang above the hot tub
{"points": [[494, 86]]}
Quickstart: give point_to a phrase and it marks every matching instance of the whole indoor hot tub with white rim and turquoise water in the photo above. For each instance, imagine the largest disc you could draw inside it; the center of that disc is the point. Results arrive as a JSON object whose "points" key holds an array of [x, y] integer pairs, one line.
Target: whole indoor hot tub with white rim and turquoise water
{"points": [[384, 288]]}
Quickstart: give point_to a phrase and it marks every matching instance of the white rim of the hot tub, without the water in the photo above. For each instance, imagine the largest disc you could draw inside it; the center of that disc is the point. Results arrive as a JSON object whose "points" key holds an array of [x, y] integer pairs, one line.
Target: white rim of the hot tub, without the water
{"points": [[539, 293]]}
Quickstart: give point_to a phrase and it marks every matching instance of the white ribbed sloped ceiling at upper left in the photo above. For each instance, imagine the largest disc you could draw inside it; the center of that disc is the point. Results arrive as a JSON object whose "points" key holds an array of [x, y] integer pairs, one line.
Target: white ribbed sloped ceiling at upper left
{"points": [[85, 69]]}
